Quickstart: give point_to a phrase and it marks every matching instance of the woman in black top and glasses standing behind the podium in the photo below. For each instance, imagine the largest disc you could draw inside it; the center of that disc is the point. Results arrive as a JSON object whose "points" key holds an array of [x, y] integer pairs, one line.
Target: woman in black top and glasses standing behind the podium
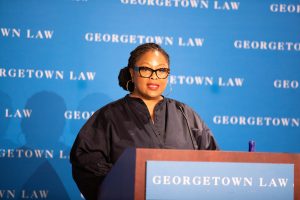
{"points": [[143, 118]]}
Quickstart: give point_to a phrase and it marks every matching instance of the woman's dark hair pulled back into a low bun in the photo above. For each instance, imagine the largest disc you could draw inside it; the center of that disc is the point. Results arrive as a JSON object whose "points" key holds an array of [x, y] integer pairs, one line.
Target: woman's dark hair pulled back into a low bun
{"points": [[124, 75]]}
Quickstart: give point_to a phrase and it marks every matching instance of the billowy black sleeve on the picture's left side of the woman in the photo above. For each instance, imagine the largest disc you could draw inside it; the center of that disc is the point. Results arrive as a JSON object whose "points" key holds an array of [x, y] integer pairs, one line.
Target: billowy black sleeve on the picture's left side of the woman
{"points": [[90, 156]]}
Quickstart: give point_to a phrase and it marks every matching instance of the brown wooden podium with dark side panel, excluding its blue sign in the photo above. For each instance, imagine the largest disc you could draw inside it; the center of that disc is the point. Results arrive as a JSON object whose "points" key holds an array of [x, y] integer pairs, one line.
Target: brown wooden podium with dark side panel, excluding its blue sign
{"points": [[127, 179]]}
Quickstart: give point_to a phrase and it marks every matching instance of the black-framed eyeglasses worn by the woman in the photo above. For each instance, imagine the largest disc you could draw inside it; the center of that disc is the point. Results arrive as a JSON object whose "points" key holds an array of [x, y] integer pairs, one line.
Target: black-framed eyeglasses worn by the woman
{"points": [[146, 72]]}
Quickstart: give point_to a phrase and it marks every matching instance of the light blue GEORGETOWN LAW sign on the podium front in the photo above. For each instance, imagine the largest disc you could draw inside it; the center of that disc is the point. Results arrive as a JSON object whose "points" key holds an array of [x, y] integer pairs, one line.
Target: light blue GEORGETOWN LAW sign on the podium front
{"points": [[219, 180]]}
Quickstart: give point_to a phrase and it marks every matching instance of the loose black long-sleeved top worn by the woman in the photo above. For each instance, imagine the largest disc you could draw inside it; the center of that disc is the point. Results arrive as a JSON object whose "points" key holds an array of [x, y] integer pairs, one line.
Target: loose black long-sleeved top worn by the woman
{"points": [[127, 123]]}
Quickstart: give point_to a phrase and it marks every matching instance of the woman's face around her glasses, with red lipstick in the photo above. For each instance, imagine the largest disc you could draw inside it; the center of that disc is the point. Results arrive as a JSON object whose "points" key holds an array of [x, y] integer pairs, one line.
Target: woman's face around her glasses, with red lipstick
{"points": [[150, 88]]}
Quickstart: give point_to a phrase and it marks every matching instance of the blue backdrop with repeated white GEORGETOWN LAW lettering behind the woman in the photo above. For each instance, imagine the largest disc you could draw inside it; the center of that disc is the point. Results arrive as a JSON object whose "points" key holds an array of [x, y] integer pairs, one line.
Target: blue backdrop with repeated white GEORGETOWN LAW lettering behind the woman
{"points": [[236, 62]]}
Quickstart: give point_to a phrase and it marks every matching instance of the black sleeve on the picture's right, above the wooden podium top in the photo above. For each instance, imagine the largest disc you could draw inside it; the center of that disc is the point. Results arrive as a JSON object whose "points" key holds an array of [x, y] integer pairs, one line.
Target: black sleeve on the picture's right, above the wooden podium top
{"points": [[202, 134]]}
